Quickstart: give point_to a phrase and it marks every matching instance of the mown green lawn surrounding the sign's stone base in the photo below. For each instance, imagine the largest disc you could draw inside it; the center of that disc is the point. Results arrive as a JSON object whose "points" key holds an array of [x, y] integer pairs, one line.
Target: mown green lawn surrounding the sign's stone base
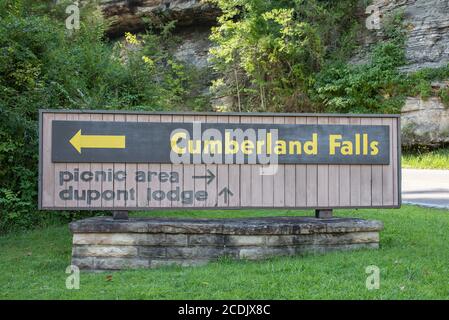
{"points": [[413, 261]]}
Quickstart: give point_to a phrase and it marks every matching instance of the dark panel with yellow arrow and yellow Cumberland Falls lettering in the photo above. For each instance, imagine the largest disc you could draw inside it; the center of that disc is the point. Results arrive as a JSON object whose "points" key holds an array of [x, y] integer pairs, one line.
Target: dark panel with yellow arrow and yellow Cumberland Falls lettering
{"points": [[147, 142]]}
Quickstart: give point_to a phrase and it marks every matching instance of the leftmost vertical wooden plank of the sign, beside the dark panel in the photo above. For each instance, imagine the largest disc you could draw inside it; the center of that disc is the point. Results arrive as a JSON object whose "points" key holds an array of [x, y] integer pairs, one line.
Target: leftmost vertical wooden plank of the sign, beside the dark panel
{"points": [[48, 168]]}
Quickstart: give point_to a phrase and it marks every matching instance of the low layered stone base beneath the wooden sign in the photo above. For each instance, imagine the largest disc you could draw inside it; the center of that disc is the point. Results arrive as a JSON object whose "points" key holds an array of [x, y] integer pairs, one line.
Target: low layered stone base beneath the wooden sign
{"points": [[102, 243]]}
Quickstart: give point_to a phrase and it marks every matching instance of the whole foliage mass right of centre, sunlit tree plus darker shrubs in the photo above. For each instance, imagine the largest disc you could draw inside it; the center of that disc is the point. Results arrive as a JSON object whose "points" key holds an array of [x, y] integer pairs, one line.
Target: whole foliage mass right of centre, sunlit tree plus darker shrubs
{"points": [[294, 55]]}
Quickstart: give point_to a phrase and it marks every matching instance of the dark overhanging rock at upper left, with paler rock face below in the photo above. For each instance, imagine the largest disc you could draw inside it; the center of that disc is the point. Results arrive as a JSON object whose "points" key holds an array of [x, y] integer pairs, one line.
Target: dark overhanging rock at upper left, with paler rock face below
{"points": [[194, 19]]}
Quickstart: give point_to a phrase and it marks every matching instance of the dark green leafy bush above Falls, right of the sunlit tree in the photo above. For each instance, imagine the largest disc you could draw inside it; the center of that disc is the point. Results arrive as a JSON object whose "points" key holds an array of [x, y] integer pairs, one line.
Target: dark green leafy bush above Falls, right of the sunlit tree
{"points": [[368, 88]]}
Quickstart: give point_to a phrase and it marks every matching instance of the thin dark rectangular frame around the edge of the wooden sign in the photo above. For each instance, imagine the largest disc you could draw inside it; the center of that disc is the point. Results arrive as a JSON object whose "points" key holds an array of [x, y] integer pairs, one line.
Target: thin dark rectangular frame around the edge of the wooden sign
{"points": [[255, 114]]}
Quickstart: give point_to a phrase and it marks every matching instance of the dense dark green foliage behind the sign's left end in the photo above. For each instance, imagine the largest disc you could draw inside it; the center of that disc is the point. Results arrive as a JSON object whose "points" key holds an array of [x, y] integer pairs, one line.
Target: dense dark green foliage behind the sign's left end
{"points": [[43, 65]]}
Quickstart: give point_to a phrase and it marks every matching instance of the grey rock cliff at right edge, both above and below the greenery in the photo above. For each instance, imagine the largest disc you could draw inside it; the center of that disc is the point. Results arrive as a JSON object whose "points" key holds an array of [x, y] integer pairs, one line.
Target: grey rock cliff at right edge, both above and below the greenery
{"points": [[424, 122]]}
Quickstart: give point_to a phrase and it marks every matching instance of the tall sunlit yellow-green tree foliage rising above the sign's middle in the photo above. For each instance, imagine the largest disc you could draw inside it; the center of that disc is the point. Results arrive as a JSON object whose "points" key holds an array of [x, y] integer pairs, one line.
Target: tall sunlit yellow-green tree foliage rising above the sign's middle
{"points": [[270, 51]]}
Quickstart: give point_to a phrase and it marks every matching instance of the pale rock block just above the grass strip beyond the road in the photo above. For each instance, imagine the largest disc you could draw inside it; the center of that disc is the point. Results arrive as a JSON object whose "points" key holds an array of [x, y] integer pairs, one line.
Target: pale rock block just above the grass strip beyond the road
{"points": [[425, 122]]}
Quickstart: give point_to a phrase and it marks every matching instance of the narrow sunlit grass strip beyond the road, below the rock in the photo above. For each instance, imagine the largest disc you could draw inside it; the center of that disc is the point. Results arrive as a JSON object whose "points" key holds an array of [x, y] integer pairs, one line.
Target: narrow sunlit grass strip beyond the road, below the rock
{"points": [[437, 159]]}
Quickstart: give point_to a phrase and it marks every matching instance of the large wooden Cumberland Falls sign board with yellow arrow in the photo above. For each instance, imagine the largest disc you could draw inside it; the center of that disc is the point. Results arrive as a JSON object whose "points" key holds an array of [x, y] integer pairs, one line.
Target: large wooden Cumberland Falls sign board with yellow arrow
{"points": [[106, 160]]}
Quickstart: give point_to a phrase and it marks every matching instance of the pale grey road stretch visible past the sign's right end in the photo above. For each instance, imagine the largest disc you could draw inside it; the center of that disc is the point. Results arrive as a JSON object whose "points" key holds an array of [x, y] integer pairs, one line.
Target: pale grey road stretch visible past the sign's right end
{"points": [[426, 187]]}
